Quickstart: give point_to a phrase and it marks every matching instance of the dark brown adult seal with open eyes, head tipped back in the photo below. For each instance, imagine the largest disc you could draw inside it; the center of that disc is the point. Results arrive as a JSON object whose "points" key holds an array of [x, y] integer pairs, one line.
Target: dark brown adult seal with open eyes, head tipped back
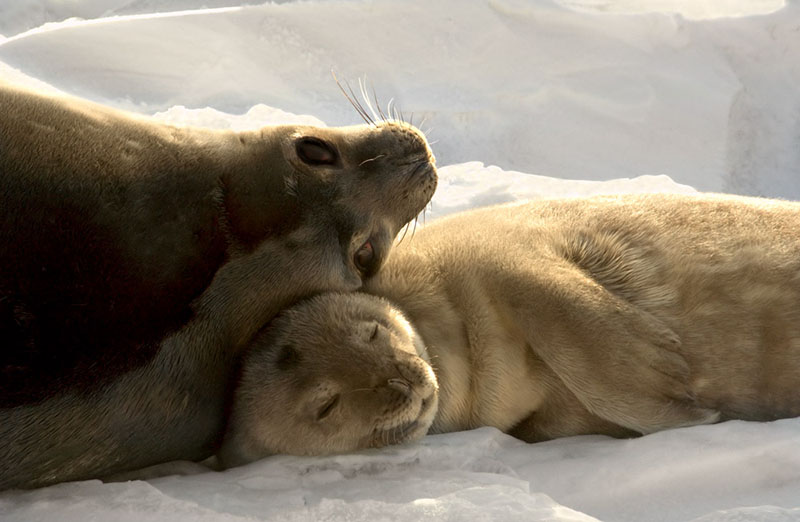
{"points": [[138, 258]]}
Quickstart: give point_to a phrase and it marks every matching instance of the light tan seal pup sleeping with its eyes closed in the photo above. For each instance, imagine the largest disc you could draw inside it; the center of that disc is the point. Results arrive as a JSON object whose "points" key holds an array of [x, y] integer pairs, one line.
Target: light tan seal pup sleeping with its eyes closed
{"points": [[612, 315]]}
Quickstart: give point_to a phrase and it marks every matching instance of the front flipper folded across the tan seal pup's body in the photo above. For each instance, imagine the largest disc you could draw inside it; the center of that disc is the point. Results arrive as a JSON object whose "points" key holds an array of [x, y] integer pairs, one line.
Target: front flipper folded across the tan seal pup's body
{"points": [[622, 363]]}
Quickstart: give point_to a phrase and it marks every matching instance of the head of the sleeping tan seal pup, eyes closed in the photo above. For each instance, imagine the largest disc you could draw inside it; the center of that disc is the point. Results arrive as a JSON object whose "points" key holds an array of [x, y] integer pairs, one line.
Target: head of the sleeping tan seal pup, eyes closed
{"points": [[337, 373]]}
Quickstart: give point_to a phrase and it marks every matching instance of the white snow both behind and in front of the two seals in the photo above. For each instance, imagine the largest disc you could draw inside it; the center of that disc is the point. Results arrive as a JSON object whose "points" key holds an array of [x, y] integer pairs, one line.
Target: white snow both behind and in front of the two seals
{"points": [[627, 95]]}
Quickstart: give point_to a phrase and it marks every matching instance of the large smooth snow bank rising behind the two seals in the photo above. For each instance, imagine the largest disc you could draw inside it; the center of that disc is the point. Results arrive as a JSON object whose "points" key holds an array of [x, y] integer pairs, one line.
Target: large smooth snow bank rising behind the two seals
{"points": [[531, 86]]}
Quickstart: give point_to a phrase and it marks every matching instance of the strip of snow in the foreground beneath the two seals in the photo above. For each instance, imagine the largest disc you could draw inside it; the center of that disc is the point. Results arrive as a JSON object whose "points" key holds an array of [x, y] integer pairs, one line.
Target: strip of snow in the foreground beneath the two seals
{"points": [[725, 472]]}
